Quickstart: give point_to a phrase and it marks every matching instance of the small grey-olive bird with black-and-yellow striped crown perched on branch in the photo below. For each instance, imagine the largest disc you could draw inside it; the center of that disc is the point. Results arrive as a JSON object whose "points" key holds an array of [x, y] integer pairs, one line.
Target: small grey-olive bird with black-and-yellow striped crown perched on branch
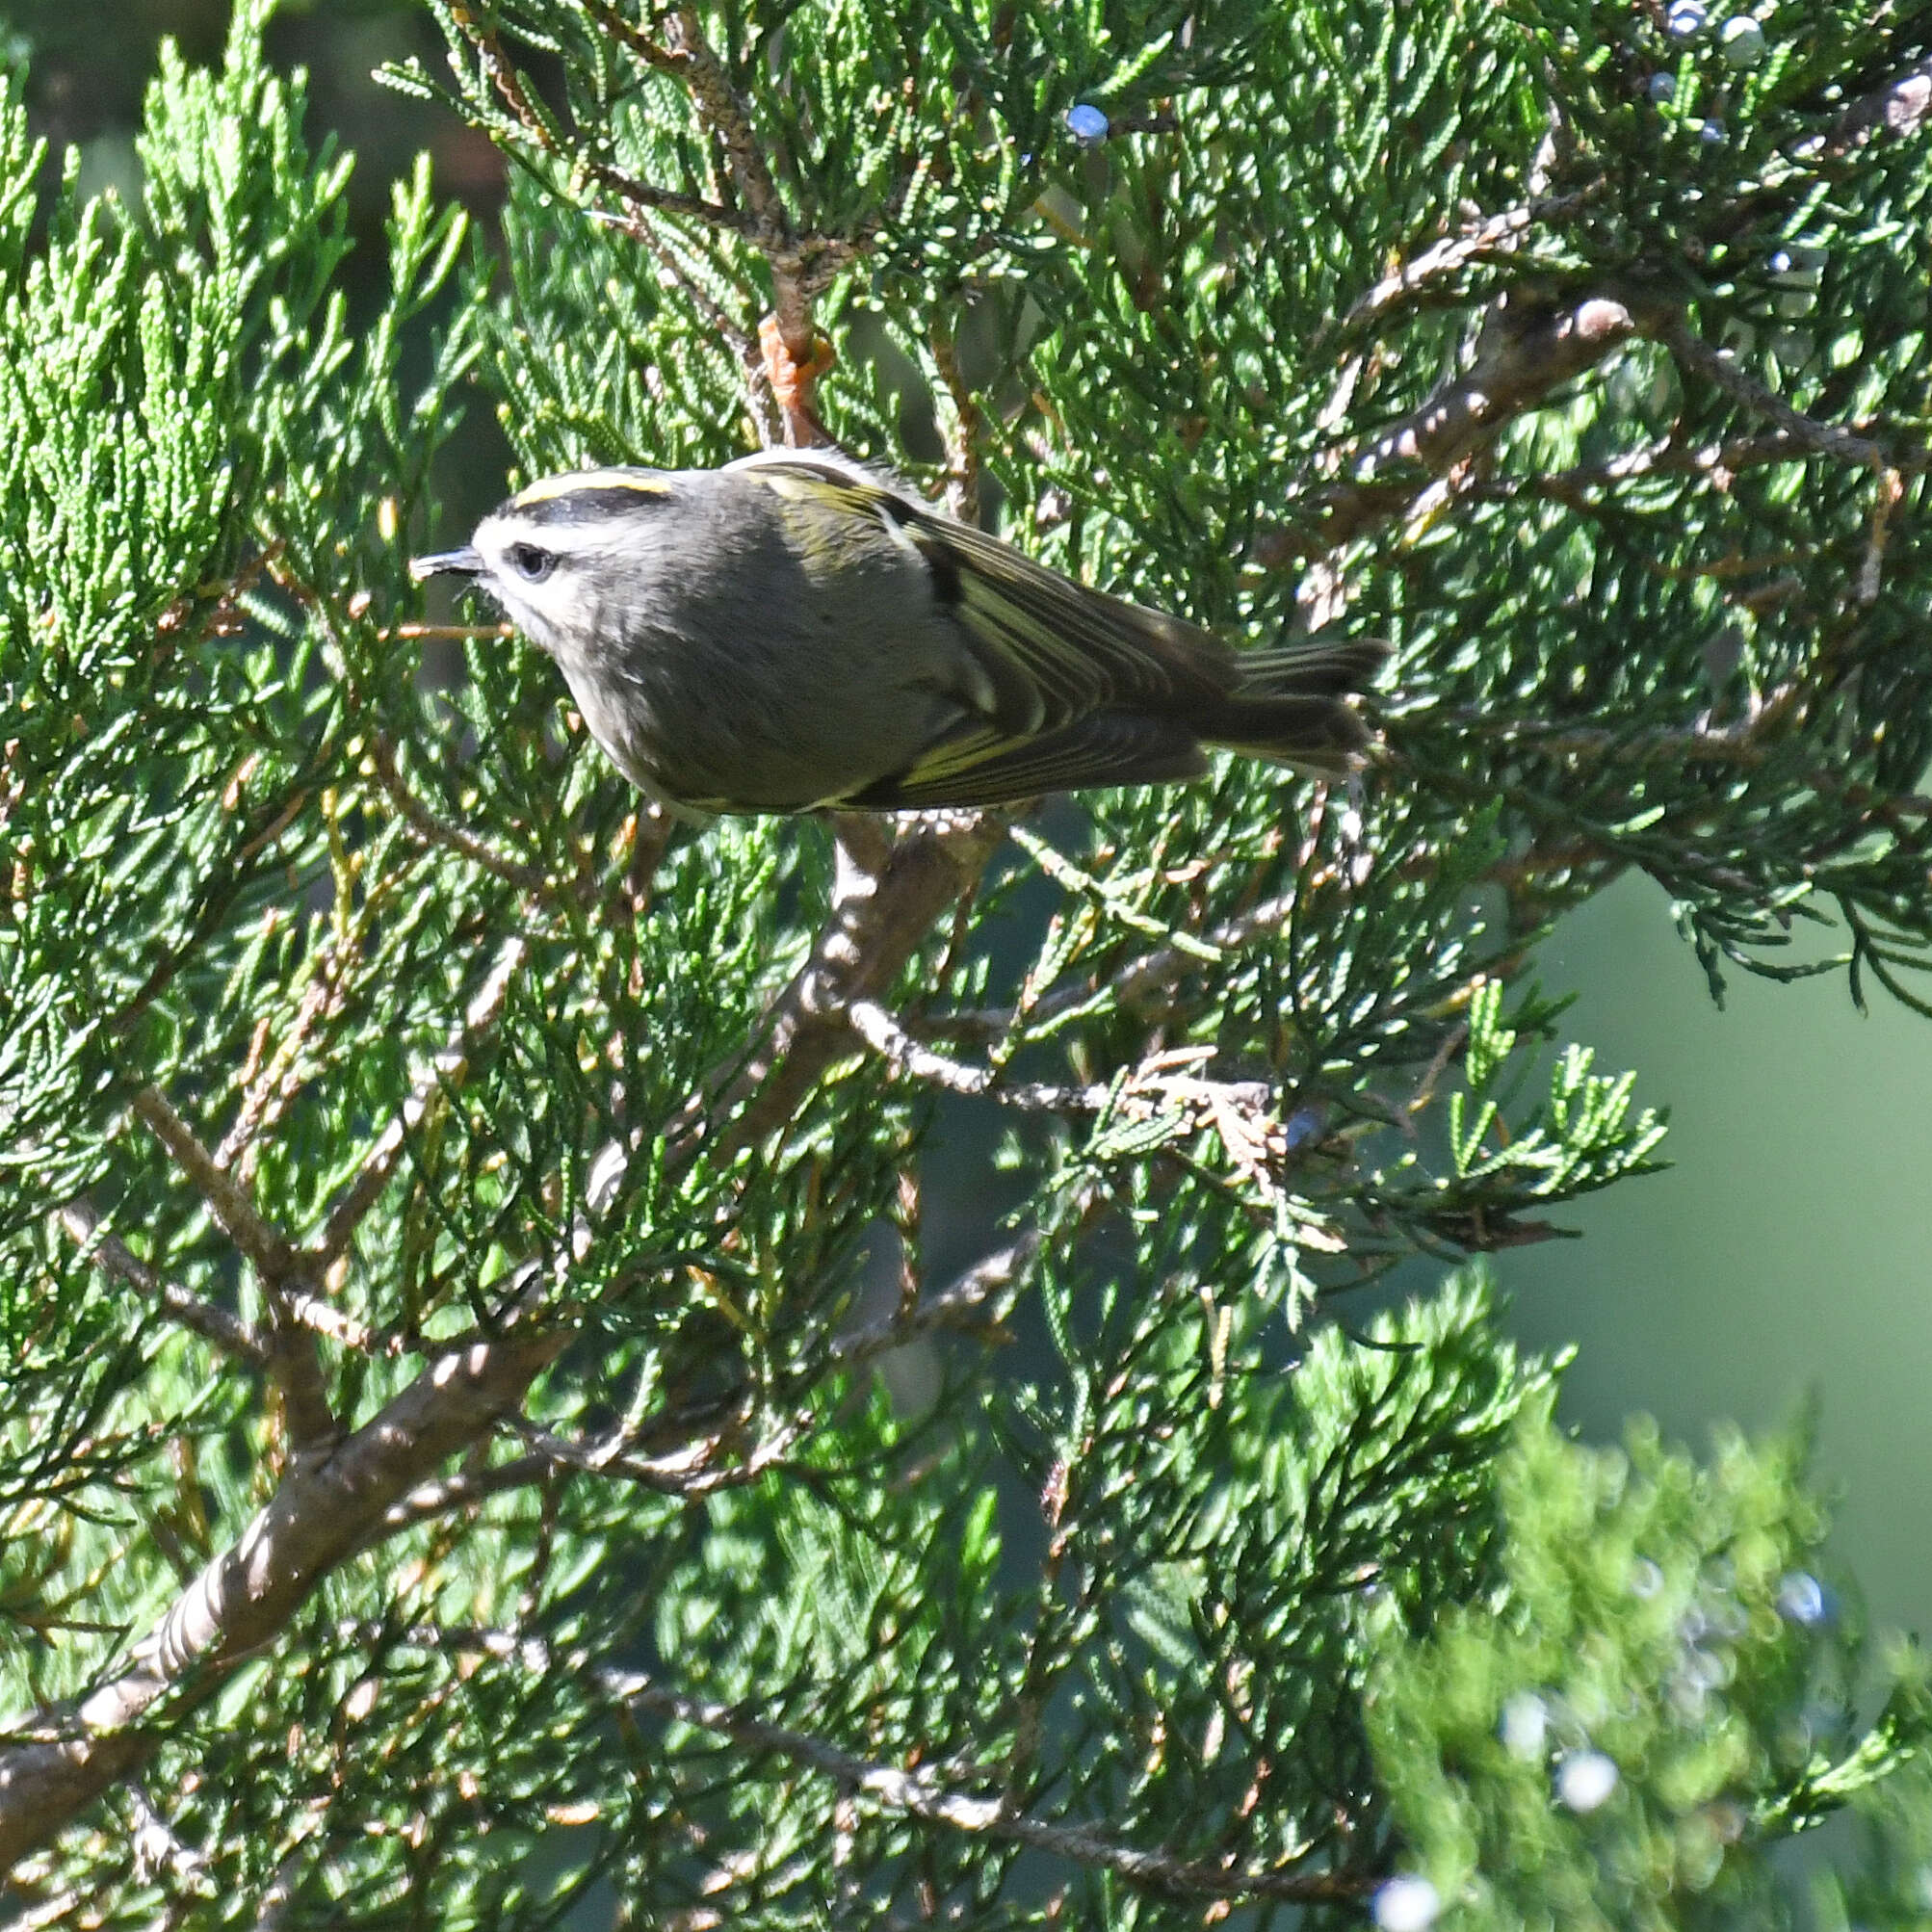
{"points": [[791, 633]]}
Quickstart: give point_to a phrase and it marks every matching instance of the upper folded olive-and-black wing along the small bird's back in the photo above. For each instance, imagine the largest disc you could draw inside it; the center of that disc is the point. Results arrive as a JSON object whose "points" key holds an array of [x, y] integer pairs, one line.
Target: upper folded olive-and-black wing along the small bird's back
{"points": [[1050, 650]]}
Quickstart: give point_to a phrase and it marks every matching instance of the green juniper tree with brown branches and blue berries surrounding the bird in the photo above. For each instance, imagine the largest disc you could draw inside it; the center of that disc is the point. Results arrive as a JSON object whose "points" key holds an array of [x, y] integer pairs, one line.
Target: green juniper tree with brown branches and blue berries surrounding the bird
{"points": [[451, 1463]]}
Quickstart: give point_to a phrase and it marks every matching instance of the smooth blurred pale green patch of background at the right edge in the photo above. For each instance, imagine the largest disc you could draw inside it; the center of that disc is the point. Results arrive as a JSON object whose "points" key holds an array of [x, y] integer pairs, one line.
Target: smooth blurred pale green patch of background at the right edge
{"points": [[1782, 1257]]}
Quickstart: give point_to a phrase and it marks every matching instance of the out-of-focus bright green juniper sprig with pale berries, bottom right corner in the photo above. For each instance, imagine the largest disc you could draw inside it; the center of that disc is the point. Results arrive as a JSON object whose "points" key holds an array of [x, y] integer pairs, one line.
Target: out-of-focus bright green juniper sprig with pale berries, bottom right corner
{"points": [[1655, 1691]]}
